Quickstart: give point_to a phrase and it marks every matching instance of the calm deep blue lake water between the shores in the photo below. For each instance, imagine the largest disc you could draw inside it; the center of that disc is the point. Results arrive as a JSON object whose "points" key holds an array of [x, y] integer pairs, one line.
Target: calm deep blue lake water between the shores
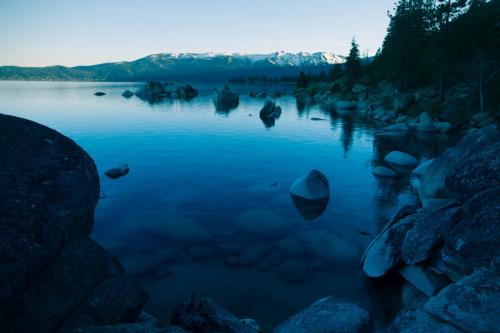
{"points": [[206, 205]]}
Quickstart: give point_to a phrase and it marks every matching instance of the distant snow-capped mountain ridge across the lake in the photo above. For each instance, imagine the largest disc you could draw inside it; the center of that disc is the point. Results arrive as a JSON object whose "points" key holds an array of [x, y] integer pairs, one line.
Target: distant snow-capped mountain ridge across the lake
{"points": [[164, 66]]}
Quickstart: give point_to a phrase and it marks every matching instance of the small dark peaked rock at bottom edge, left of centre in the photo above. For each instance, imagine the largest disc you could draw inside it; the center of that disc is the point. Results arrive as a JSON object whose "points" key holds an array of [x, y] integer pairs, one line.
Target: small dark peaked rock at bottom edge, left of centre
{"points": [[198, 314]]}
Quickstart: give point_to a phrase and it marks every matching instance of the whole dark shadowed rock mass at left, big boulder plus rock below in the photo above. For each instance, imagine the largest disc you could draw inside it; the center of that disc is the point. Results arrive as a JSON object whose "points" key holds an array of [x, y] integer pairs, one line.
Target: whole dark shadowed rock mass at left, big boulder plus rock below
{"points": [[50, 270]]}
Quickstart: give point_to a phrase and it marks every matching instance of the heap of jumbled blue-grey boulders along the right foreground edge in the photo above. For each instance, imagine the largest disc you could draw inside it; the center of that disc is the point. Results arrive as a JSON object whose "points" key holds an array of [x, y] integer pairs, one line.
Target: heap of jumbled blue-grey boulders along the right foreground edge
{"points": [[448, 251]]}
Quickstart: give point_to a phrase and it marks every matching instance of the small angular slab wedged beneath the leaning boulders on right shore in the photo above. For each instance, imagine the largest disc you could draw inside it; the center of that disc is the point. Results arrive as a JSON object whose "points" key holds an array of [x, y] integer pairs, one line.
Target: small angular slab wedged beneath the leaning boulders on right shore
{"points": [[424, 279]]}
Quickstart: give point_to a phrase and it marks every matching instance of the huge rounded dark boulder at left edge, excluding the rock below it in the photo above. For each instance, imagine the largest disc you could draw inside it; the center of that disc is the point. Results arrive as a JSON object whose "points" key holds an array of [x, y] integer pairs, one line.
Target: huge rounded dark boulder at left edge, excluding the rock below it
{"points": [[48, 190]]}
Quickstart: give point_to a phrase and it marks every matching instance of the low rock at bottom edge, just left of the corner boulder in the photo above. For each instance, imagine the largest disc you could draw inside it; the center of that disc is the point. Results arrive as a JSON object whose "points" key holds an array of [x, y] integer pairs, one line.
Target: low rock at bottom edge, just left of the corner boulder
{"points": [[418, 321]]}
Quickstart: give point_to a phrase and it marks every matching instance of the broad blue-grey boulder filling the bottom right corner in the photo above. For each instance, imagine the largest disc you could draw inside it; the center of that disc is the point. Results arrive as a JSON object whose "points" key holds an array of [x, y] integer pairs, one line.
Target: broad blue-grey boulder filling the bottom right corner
{"points": [[471, 304]]}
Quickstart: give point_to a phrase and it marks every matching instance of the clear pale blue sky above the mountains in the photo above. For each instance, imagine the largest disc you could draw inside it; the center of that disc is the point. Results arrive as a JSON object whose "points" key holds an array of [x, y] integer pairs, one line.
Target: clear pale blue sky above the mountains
{"points": [[85, 32]]}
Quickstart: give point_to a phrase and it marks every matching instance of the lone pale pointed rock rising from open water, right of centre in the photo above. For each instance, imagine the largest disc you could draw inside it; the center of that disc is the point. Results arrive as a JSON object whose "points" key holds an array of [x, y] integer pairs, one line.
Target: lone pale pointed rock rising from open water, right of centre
{"points": [[314, 186]]}
